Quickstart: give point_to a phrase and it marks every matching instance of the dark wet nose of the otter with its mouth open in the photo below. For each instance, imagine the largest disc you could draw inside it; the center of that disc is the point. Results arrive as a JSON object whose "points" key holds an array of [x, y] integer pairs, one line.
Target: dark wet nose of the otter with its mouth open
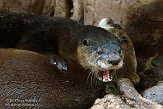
{"points": [[114, 59]]}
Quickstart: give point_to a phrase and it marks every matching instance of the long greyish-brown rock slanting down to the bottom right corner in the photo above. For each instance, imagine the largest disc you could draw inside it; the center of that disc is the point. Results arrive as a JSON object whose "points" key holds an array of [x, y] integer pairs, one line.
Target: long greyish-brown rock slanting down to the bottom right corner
{"points": [[133, 98]]}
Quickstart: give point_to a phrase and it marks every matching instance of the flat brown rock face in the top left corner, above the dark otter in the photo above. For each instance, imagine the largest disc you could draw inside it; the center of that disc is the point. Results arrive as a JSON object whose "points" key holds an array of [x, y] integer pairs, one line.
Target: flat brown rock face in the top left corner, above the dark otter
{"points": [[42, 7]]}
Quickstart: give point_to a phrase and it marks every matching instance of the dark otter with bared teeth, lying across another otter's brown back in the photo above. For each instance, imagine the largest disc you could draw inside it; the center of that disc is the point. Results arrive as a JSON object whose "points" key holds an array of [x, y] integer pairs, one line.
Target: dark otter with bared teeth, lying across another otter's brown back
{"points": [[66, 42]]}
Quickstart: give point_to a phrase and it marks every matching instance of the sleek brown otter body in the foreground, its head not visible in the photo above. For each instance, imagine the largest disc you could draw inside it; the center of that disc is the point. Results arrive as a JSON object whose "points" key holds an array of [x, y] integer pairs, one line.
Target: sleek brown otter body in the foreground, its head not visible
{"points": [[28, 80]]}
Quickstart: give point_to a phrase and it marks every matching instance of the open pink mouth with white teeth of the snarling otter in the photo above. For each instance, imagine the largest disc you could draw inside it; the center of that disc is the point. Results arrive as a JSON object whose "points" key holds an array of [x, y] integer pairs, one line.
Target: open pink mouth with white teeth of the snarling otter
{"points": [[106, 75]]}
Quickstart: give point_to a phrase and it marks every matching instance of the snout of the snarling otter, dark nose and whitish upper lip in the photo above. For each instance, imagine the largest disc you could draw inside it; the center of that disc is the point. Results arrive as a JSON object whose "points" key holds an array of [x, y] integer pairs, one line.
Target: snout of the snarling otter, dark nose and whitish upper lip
{"points": [[108, 60]]}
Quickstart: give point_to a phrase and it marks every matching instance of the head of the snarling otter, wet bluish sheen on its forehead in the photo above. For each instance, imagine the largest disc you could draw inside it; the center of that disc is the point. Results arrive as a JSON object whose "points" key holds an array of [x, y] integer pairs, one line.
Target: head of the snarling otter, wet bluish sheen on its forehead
{"points": [[100, 51]]}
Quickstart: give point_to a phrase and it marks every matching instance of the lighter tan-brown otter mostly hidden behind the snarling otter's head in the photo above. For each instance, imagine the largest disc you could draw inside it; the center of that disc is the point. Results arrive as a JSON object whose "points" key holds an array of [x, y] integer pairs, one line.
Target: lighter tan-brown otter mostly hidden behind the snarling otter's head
{"points": [[129, 63]]}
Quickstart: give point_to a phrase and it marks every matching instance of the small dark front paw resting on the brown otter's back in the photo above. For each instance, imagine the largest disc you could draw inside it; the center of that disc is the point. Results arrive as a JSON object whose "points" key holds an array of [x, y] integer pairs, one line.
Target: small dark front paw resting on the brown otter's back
{"points": [[59, 63]]}
